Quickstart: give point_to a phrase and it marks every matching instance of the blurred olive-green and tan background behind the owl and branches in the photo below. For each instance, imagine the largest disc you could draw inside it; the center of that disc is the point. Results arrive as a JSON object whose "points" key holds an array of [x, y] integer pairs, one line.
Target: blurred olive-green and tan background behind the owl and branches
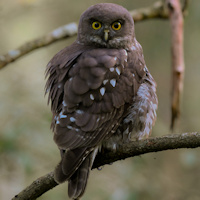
{"points": [[27, 150]]}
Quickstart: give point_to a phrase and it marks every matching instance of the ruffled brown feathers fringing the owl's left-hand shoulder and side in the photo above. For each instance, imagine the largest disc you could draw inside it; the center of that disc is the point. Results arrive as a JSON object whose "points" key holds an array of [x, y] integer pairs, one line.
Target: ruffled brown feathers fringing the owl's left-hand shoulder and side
{"points": [[57, 73]]}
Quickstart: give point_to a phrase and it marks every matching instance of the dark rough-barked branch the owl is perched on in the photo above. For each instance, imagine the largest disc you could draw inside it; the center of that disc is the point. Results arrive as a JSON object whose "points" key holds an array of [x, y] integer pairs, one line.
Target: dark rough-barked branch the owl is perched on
{"points": [[124, 150]]}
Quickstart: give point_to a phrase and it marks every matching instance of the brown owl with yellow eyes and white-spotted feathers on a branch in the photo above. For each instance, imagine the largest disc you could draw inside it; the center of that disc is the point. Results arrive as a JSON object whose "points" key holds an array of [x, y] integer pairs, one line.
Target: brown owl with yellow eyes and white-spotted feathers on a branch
{"points": [[101, 92]]}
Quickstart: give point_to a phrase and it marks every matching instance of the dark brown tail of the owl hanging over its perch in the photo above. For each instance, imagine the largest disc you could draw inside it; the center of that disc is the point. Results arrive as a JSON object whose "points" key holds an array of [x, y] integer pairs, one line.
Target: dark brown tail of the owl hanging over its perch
{"points": [[75, 167]]}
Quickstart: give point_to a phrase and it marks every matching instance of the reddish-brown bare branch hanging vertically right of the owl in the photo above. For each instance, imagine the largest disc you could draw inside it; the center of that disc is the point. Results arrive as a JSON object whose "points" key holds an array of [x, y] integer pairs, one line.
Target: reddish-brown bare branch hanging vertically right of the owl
{"points": [[178, 66]]}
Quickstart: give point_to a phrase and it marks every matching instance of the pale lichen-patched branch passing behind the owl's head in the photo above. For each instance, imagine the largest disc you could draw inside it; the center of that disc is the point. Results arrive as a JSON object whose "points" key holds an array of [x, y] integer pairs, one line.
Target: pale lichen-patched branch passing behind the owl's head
{"points": [[157, 10]]}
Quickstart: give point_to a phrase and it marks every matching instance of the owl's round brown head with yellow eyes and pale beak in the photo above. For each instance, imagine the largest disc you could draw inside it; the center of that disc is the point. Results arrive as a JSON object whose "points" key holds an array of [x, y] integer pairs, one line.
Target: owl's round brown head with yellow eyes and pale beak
{"points": [[106, 25]]}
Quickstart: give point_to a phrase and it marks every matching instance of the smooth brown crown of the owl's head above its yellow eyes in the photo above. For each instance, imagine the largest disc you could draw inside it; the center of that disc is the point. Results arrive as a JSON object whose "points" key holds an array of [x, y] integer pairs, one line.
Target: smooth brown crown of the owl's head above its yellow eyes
{"points": [[106, 12]]}
